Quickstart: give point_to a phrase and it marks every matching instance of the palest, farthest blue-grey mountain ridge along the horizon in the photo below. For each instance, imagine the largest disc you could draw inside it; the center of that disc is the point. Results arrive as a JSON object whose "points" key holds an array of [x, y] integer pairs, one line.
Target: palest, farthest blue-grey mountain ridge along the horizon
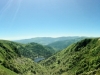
{"points": [[46, 40]]}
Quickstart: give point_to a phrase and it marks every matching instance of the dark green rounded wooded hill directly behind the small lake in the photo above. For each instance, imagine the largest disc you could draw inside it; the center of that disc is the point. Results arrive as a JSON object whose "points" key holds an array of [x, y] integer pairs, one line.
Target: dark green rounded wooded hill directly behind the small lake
{"points": [[33, 50]]}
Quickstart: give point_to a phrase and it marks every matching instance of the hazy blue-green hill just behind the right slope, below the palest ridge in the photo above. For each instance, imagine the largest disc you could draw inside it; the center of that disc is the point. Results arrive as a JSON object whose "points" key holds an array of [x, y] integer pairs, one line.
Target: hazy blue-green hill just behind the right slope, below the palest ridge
{"points": [[60, 45]]}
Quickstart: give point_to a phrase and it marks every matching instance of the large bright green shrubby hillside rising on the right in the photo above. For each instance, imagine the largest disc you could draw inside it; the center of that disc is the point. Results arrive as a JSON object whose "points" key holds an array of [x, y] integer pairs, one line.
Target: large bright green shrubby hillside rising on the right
{"points": [[81, 58]]}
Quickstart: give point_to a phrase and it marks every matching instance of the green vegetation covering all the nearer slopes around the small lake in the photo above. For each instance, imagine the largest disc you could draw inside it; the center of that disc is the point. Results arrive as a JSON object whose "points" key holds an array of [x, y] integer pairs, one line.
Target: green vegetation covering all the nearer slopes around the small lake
{"points": [[81, 58]]}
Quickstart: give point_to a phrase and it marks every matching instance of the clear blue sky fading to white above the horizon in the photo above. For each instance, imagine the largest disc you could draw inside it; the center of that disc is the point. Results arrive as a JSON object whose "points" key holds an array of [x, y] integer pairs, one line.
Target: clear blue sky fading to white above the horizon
{"points": [[20, 19]]}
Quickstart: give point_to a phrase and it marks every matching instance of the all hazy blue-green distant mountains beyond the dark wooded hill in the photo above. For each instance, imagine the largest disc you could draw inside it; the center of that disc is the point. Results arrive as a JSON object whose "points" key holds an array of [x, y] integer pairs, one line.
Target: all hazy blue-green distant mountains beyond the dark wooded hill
{"points": [[56, 43]]}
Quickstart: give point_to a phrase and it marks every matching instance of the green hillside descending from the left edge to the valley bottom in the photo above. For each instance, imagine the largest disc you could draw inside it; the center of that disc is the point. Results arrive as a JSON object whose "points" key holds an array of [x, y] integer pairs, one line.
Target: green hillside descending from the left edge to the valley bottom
{"points": [[13, 63]]}
